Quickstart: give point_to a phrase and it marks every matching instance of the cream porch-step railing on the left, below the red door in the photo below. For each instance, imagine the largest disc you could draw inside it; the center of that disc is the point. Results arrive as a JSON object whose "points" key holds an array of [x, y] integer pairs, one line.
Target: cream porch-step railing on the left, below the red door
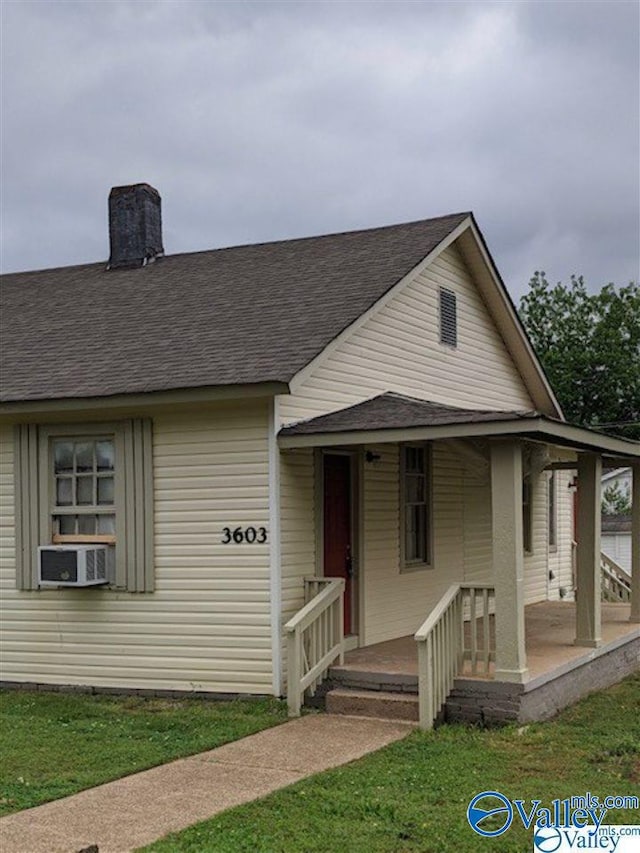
{"points": [[315, 638]]}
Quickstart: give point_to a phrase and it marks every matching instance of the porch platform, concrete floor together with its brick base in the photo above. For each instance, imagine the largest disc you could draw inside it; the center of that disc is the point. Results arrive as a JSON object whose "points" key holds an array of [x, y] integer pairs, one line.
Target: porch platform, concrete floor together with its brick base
{"points": [[559, 672]]}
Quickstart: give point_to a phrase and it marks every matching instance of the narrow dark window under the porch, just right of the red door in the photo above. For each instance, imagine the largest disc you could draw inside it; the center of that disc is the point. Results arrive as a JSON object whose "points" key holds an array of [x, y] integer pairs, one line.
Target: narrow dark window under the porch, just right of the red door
{"points": [[415, 500]]}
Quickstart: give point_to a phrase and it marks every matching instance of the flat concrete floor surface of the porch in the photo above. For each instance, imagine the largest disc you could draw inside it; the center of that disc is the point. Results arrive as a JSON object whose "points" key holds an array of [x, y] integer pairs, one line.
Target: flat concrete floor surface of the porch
{"points": [[549, 632]]}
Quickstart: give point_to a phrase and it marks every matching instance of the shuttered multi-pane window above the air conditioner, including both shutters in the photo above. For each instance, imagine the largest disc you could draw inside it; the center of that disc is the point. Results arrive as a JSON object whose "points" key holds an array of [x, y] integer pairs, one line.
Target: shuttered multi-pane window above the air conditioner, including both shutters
{"points": [[84, 483]]}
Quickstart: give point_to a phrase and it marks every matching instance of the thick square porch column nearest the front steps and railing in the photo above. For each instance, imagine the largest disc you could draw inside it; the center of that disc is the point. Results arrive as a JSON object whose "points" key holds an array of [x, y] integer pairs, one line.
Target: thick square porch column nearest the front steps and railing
{"points": [[508, 560]]}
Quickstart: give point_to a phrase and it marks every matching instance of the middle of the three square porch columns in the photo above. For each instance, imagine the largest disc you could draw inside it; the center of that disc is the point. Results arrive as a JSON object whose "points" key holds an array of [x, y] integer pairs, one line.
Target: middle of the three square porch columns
{"points": [[588, 626]]}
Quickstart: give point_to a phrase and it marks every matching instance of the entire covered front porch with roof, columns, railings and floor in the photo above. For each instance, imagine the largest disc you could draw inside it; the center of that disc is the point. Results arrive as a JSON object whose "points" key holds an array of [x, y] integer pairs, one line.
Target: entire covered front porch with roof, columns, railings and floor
{"points": [[443, 518]]}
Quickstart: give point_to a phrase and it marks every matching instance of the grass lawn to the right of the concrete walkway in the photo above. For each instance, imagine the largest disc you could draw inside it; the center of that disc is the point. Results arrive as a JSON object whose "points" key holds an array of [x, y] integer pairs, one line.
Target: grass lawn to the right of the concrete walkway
{"points": [[412, 797]]}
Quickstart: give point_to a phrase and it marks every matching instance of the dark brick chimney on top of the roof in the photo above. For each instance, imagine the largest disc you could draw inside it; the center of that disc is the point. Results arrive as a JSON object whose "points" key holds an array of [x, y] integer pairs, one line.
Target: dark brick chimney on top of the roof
{"points": [[135, 226]]}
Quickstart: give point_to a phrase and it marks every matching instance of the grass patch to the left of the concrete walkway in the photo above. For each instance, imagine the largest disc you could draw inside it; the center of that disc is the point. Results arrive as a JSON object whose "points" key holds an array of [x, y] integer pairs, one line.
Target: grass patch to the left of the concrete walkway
{"points": [[55, 744]]}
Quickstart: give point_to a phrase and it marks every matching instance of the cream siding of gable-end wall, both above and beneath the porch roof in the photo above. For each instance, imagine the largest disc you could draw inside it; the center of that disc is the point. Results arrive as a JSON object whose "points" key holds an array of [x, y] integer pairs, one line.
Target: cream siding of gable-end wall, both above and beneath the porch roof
{"points": [[397, 348]]}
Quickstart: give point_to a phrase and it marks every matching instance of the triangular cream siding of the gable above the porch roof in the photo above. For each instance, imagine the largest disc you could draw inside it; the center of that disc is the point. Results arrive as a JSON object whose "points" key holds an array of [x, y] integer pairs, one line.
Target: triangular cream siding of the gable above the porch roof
{"points": [[397, 348]]}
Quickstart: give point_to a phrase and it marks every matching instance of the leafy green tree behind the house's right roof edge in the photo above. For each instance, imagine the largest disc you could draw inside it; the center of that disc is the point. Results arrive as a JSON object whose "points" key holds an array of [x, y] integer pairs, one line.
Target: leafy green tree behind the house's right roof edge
{"points": [[589, 346]]}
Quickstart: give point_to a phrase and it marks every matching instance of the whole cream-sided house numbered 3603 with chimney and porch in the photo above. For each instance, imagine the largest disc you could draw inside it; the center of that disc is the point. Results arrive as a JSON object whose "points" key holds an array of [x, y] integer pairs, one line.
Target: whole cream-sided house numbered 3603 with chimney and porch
{"points": [[294, 452]]}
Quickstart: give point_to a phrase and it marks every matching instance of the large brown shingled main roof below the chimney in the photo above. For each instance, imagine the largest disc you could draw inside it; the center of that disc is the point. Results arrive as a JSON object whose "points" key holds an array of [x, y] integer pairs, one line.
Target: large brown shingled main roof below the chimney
{"points": [[249, 314]]}
